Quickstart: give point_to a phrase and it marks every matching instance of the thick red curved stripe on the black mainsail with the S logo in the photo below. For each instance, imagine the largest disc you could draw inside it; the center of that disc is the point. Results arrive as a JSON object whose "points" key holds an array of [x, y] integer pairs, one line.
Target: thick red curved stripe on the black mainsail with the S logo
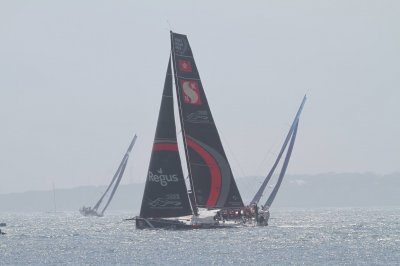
{"points": [[214, 171]]}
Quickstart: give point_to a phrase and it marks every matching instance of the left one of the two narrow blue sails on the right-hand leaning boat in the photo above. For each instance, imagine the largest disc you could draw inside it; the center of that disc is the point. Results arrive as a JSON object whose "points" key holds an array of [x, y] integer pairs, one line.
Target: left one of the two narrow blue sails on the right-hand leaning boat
{"points": [[260, 191]]}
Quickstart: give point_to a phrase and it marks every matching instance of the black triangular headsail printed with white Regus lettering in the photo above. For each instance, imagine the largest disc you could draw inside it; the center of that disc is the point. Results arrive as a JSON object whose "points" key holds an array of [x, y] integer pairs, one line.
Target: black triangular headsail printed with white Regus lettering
{"points": [[165, 193]]}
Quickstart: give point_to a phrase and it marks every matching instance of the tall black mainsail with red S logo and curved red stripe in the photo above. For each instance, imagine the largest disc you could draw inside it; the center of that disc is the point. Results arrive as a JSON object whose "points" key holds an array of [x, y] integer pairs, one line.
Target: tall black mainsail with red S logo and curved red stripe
{"points": [[211, 176]]}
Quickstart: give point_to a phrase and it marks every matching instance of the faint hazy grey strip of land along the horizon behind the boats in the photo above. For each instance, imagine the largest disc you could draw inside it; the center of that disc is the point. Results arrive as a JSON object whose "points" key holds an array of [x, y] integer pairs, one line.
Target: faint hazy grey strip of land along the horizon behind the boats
{"points": [[328, 190]]}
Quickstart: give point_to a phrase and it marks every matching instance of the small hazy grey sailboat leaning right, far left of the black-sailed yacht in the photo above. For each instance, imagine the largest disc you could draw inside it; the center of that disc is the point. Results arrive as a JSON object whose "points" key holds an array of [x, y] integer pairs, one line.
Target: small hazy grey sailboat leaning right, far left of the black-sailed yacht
{"points": [[89, 211]]}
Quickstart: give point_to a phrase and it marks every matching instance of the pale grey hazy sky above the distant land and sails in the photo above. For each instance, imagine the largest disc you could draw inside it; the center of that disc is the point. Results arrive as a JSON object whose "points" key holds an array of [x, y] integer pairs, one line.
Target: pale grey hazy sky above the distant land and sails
{"points": [[79, 78]]}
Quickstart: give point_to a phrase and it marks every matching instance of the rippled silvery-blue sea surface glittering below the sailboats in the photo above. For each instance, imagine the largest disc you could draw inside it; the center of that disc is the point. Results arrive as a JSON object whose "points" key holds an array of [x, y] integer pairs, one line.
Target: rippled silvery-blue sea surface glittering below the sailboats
{"points": [[294, 237]]}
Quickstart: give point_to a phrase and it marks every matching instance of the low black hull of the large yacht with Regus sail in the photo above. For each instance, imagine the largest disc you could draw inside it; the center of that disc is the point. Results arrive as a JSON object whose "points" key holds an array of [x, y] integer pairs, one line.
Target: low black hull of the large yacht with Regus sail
{"points": [[157, 223]]}
